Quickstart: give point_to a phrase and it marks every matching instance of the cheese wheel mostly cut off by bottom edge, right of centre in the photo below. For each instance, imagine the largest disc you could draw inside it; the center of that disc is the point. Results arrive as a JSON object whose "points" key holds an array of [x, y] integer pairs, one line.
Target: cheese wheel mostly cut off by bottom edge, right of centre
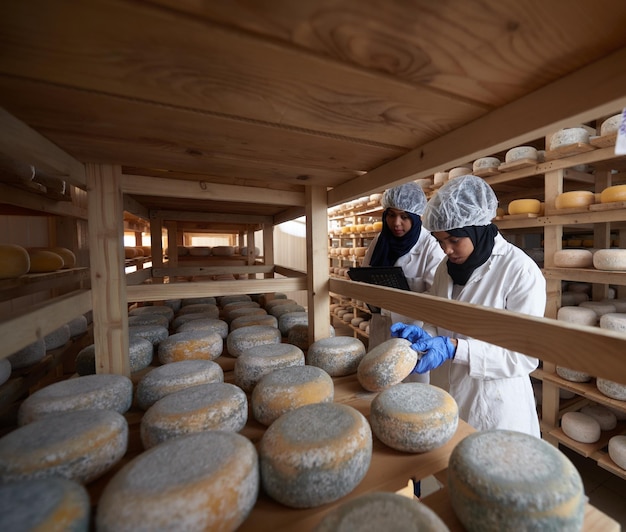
{"points": [[378, 511]]}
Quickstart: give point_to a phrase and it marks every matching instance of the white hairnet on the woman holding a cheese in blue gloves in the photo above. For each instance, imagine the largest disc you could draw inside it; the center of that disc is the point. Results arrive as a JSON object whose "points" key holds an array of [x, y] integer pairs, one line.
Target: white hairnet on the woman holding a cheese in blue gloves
{"points": [[460, 202]]}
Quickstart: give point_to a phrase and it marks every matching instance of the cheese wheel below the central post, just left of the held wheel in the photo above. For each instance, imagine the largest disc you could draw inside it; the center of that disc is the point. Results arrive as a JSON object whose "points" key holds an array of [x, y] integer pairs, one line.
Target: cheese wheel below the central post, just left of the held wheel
{"points": [[338, 356]]}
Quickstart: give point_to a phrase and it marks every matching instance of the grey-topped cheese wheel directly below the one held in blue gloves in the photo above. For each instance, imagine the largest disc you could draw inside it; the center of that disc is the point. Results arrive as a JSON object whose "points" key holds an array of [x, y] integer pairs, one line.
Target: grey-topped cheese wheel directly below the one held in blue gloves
{"points": [[414, 417]]}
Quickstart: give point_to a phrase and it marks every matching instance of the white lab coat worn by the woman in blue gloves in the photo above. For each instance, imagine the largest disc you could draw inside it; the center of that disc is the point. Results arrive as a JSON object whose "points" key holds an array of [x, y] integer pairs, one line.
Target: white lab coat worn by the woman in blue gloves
{"points": [[491, 384]]}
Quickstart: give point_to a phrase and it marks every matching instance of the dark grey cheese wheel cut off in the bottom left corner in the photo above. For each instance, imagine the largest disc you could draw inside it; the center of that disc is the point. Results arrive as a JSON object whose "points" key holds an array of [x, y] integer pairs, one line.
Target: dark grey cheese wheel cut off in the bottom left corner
{"points": [[52, 503]]}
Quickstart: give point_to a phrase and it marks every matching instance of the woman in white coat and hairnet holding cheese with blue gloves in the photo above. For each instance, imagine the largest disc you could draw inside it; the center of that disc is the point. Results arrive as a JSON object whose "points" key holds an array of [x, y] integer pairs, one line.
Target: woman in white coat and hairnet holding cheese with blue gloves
{"points": [[491, 384]]}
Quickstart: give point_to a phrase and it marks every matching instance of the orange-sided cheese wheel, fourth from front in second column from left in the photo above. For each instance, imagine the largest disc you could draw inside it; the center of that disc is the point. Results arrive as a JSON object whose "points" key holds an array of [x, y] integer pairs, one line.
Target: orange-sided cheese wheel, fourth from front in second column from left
{"points": [[190, 345]]}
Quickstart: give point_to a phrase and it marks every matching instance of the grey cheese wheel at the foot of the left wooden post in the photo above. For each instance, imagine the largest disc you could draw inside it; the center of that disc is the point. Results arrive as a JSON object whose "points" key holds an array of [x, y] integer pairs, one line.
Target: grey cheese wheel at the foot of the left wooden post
{"points": [[91, 392]]}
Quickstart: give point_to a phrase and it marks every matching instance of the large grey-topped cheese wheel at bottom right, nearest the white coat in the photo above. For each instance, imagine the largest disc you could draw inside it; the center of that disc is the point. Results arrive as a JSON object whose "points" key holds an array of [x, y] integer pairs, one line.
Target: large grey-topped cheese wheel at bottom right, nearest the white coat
{"points": [[508, 480]]}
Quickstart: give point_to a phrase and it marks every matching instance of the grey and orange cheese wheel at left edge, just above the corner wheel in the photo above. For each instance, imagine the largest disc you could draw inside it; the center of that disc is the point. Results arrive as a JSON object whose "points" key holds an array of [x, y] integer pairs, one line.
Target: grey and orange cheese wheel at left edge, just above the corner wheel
{"points": [[79, 445]]}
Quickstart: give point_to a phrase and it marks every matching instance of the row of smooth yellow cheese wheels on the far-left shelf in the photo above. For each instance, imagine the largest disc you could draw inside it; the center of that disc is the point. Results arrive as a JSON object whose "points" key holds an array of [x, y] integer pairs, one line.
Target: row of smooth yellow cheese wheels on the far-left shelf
{"points": [[16, 260]]}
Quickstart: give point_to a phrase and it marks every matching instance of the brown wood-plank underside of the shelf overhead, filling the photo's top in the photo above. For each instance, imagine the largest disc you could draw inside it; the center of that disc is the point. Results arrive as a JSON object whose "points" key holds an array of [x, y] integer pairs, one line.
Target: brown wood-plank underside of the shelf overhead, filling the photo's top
{"points": [[352, 95]]}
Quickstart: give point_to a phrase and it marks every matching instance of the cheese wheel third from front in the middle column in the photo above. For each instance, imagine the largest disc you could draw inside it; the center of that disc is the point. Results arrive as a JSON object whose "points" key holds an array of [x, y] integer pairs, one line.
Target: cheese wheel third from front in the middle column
{"points": [[256, 362]]}
